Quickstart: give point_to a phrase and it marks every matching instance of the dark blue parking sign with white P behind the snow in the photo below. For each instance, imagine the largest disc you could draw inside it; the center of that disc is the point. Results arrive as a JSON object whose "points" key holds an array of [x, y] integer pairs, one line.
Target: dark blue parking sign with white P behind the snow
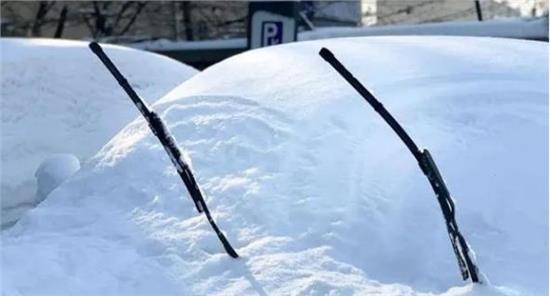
{"points": [[271, 23]]}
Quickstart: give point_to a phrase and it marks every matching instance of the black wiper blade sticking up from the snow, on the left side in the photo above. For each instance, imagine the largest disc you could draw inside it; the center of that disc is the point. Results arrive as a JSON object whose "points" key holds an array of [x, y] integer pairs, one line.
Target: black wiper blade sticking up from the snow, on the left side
{"points": [[168, 142]]}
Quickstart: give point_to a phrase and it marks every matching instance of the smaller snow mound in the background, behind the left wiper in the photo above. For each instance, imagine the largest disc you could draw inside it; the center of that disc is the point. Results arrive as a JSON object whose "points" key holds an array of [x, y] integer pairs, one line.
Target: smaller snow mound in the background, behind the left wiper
{"points": [[56, 99]]}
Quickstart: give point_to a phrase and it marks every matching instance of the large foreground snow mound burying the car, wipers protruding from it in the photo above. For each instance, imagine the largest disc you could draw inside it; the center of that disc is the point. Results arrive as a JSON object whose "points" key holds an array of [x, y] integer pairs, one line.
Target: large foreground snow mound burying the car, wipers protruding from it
{"points": [[312, 188]]}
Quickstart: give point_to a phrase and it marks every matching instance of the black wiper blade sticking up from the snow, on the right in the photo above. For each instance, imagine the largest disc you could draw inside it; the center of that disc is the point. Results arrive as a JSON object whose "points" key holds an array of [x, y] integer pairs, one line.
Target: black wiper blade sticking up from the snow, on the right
{"points": [[466, 263]]}
